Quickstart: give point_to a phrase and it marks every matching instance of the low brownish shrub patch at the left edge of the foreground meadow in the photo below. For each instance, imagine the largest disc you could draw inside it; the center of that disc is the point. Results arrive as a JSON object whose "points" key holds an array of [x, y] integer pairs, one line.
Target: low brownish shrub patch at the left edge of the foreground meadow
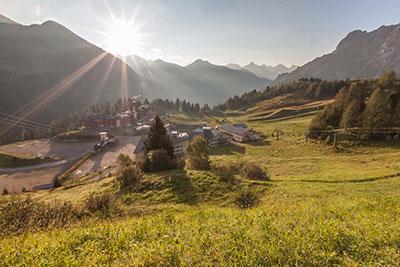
{"points": [[19, 214]]}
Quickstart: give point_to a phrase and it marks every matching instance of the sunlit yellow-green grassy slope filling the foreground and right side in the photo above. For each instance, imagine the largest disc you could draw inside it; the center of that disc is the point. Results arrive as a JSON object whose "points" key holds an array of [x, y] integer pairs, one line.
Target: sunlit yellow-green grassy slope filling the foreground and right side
{"points": [[324, 206]]}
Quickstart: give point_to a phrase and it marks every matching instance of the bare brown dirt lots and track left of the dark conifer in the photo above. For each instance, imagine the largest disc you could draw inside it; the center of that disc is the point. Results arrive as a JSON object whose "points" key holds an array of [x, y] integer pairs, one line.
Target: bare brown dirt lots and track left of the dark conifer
{"points": [[41, 176]]}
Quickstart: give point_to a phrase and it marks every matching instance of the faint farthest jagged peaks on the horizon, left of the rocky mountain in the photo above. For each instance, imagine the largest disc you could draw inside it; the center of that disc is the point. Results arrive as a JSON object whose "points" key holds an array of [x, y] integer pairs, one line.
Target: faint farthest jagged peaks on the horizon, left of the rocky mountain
{"points": [[263, 71]]}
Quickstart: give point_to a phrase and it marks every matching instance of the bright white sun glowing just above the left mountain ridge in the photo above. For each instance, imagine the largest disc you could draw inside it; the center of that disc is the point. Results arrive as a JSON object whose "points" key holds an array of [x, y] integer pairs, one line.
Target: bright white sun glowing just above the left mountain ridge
{"points": [[123, 37]]}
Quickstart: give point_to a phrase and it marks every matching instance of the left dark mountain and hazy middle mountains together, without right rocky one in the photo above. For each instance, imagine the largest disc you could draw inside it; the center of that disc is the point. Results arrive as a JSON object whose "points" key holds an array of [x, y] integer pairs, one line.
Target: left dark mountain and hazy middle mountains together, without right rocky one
{"points": [[47, 72]]}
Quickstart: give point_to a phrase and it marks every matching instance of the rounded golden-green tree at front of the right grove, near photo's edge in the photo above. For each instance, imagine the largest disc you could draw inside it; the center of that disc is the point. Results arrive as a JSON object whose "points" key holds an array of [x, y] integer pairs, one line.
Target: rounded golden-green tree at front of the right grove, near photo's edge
{"points": [[377, 113]]}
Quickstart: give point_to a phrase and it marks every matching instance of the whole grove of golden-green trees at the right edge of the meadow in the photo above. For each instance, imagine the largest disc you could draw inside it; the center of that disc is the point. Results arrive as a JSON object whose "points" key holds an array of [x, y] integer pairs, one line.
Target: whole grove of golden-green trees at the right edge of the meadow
{"points": [[369, 104]]}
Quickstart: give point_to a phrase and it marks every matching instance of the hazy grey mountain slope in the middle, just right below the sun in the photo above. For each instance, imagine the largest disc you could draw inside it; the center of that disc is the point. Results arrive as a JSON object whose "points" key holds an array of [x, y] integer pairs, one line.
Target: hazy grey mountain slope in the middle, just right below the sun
{"points": [[200, 81]]}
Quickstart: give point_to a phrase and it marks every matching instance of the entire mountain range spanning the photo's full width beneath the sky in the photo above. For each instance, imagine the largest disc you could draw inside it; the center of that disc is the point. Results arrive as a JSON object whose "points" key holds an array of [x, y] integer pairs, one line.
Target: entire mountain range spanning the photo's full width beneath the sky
{"points": [[47, 71]]}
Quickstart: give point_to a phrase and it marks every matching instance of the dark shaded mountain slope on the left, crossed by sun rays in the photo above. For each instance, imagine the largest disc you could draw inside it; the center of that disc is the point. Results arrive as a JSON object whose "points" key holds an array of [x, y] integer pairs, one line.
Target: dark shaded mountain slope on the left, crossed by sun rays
{"points": [[47, 71]]}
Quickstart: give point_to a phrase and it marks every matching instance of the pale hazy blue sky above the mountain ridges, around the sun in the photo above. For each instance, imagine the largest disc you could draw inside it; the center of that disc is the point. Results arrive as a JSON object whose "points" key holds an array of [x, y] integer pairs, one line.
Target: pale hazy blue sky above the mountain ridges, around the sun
{"points": [[220, 31]]}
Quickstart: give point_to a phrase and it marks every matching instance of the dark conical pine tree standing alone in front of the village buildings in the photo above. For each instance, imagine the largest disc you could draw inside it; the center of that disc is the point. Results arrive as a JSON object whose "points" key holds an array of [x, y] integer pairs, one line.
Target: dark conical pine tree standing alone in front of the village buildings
{"points": [[158, 138]]}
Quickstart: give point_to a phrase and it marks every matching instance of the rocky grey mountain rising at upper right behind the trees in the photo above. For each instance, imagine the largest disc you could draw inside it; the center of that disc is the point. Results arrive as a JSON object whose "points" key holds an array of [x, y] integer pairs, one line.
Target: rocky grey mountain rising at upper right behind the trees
{"points": [[360, 54]]}
